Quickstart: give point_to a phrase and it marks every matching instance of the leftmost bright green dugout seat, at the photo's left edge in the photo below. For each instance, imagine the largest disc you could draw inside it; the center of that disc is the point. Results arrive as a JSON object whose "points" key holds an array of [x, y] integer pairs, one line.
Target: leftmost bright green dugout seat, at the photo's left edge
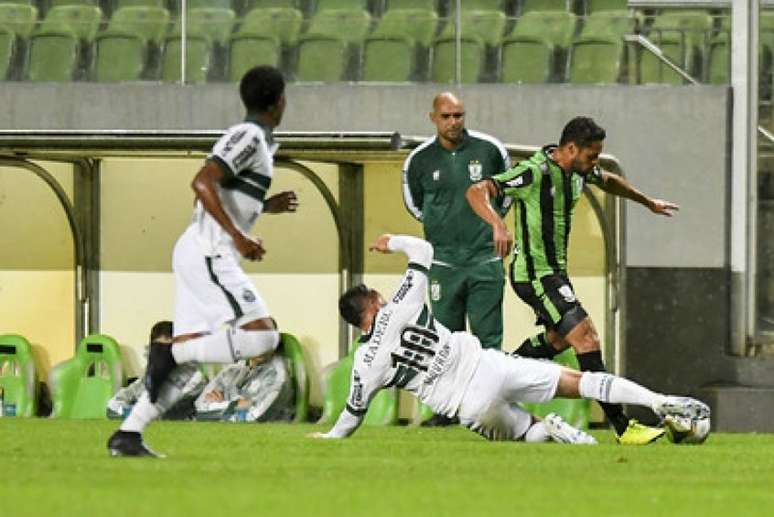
{"points": [[17, 375]]}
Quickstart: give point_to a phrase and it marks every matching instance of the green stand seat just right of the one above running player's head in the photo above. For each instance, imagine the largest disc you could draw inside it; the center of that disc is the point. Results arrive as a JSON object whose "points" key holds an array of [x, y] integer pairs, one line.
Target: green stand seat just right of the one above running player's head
{"points": [[322, 58]]}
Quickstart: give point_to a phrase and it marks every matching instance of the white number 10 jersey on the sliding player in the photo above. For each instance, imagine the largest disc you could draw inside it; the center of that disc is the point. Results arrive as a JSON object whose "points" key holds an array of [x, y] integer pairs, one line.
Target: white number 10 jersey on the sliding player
{"points": [[407, 348]]}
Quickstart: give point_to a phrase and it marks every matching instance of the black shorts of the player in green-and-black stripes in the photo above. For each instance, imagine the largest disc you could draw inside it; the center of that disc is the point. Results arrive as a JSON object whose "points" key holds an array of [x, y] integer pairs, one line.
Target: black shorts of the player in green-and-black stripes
{"points": [[552, 297]]}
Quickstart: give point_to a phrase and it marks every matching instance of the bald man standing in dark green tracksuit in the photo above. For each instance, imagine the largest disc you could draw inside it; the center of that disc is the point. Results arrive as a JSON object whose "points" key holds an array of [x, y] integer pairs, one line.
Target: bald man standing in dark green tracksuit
{"points": [[466, 277]]}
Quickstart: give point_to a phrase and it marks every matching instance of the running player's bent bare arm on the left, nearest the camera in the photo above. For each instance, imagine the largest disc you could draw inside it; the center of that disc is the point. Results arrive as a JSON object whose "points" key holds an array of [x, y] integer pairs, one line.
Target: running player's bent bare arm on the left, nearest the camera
{"points": [[205, 186]]}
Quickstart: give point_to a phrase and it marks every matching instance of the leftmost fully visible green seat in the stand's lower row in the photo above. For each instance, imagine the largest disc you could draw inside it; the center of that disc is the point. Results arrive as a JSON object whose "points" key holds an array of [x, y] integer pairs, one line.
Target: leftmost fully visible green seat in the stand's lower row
{"points": [[52, 56]]}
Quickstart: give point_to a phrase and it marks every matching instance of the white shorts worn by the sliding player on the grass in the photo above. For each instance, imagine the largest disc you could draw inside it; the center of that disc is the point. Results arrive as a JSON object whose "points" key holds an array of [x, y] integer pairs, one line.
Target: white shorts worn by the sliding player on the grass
{"points": [[501, 381]]}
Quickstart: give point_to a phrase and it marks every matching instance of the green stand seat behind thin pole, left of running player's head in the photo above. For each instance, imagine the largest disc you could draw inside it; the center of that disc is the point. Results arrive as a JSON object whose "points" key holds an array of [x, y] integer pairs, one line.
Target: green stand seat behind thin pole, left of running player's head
{"points": [[197, 59]]}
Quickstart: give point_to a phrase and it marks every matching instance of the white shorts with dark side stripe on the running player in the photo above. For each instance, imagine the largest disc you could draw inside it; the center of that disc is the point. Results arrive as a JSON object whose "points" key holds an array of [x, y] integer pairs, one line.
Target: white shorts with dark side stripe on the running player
{"points": [[210, 291]]}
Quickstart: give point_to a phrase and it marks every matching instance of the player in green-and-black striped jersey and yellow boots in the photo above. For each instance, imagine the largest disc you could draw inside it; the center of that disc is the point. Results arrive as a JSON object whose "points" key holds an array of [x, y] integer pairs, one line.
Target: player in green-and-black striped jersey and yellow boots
{"points": [[546, 188]]}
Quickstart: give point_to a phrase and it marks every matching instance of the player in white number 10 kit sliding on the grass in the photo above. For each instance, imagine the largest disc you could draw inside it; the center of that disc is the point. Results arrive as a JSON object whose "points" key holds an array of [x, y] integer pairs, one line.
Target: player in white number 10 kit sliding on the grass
{"points": [[404, 346]]}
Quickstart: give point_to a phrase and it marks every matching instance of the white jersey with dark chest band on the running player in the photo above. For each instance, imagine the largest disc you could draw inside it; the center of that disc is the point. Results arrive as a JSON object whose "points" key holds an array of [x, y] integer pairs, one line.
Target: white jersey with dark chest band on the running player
{"points": [[245, 154]]}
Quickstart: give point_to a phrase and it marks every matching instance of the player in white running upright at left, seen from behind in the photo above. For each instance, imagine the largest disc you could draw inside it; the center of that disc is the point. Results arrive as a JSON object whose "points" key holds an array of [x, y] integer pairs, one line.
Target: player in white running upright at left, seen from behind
{"points": [[219, 315]]}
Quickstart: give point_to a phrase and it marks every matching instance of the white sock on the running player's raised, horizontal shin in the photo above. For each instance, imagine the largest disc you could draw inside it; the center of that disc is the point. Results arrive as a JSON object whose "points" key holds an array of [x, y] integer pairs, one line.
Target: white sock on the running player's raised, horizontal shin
{"points": [[227, 345]]}
